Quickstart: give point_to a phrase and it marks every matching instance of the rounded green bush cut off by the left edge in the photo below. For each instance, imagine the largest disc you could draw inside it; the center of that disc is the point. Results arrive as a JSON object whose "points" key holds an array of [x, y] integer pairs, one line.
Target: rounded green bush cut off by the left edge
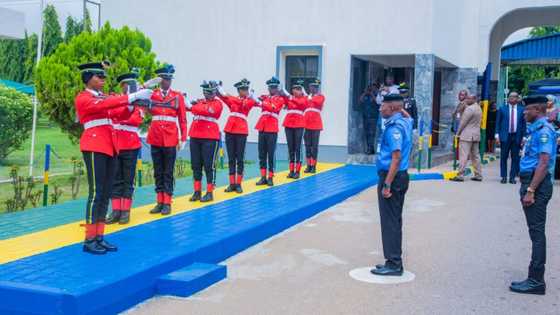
{"points": [[16, 111]]}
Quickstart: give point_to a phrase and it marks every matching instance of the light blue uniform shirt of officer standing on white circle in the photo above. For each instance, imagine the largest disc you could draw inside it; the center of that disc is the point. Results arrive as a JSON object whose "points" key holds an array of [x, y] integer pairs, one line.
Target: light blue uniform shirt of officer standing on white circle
{"points": [[397, 135]]}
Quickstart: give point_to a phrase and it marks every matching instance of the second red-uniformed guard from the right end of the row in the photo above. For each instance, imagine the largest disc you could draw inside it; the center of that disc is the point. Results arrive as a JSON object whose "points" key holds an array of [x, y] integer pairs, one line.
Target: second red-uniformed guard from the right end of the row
{"points": [[294, 124]]}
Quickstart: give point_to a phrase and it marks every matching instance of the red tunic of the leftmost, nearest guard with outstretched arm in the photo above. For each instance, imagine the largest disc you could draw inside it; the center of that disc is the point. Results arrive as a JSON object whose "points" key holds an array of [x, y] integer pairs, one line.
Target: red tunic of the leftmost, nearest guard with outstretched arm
{"points": [[95, 113]]}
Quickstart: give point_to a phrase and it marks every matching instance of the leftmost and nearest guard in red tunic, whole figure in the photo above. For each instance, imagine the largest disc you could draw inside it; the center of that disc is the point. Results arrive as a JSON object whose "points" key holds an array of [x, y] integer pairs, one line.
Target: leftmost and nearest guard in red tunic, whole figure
{"points": [[99, 147]]}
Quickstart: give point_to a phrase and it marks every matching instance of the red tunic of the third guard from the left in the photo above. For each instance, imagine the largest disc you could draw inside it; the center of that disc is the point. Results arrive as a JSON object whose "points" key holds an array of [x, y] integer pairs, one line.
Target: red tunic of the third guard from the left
{"points": [[169, 125]]}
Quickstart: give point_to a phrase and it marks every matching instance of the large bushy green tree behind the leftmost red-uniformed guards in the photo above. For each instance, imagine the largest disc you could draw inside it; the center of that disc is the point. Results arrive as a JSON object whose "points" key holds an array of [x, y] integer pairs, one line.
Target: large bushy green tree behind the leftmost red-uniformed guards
{"points": [[58, 81]]}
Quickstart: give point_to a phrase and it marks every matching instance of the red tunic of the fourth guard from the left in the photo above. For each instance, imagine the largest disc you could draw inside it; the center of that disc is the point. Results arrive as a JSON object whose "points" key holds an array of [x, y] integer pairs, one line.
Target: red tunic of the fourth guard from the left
{"points": [[205, 121]]}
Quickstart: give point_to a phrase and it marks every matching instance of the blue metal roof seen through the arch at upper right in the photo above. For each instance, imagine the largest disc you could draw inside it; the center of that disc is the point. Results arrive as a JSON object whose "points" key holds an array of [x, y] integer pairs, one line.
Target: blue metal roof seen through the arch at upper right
{"points": [[533, 49]]}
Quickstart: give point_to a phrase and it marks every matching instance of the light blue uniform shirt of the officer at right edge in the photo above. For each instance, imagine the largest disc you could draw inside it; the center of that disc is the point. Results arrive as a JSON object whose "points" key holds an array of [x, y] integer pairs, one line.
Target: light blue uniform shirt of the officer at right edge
{"points": [[541, 138]]}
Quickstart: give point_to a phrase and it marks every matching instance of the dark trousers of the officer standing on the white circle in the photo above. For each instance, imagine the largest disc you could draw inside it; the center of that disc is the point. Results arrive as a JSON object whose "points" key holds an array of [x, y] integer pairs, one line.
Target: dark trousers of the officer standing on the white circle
{"points": [[390, 212]]}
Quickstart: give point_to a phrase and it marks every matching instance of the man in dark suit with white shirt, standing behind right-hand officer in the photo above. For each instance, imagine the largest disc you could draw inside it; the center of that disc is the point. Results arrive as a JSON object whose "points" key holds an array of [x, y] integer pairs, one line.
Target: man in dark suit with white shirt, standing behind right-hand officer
{"points": [[510, 129]]}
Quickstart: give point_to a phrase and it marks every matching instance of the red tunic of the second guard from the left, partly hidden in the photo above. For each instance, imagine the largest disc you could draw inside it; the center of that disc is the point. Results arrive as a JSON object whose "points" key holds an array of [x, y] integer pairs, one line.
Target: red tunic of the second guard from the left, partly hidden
{"points": [[126, 125]]}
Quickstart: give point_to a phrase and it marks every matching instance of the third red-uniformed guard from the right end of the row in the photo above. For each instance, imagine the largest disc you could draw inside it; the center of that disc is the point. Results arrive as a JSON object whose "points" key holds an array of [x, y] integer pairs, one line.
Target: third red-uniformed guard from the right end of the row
{"points": [[271, 105]]}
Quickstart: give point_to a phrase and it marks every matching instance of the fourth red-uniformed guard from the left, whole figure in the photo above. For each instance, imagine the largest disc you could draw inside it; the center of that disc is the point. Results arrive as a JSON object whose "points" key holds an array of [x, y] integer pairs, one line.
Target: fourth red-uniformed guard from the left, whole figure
{"points": [[204, 140]]}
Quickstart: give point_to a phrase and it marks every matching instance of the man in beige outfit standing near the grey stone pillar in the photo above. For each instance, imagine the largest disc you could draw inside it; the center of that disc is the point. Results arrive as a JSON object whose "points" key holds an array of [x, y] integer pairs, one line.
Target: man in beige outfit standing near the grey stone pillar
{"points": [[469, 139]]}
